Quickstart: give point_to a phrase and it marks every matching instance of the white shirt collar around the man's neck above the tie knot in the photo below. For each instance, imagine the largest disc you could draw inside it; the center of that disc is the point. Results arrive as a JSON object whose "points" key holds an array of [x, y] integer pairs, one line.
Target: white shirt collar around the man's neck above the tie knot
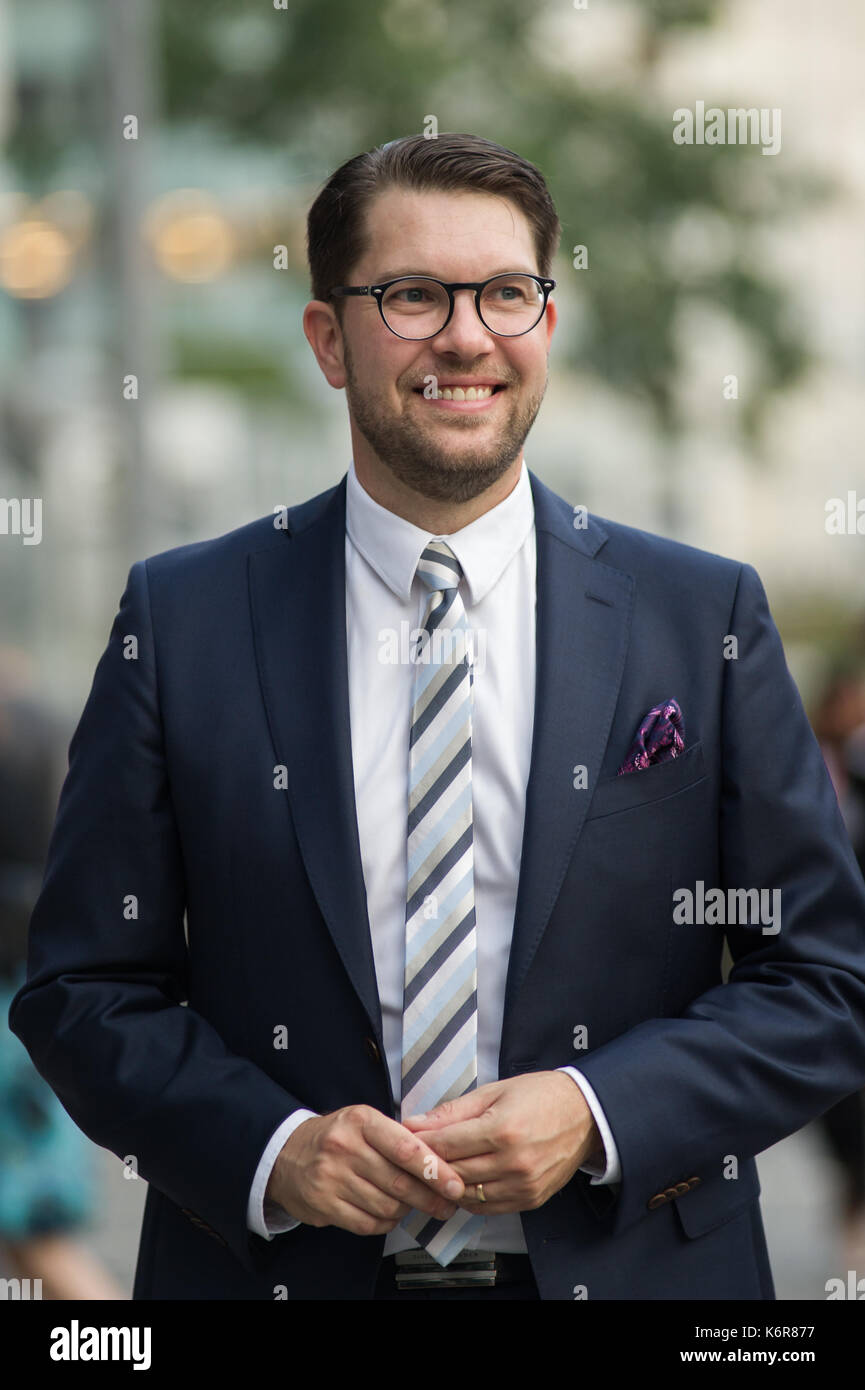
{"points": [[393, 546]]}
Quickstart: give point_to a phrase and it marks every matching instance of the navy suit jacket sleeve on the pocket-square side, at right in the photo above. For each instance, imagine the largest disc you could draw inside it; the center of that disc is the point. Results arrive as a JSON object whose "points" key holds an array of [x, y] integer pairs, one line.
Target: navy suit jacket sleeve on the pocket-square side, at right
{"points": [[756, 1058]]}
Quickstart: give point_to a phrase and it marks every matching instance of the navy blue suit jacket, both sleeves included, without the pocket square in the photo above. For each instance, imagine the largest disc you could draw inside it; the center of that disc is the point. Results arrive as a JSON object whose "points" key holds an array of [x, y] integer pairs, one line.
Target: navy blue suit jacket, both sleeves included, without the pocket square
{"points": [[158, 1033]]}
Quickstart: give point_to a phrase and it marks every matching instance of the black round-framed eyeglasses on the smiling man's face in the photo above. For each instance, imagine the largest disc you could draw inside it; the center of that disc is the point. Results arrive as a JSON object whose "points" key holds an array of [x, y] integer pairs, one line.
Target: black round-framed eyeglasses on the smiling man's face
{"points": [[419, 306]]}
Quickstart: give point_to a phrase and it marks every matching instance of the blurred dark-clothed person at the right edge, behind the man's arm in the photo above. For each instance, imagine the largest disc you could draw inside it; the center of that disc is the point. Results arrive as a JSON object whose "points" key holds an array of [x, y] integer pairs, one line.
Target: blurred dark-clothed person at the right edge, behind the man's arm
{"points": [[839, 723]]}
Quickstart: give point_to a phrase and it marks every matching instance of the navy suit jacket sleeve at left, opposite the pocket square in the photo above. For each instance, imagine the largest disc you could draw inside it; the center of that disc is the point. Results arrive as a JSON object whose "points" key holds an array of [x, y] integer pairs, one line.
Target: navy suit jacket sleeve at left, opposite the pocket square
{"points": [[102, 1013]]}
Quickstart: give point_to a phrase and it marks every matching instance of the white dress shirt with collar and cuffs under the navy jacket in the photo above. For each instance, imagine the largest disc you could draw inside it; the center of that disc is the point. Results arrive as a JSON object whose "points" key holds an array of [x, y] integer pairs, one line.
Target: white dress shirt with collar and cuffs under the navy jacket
{"points": [[385, 597]]}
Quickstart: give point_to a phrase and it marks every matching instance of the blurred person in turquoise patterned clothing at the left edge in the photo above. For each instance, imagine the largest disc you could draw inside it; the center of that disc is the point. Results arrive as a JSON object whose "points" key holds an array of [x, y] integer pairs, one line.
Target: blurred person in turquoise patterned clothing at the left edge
{"points": [[47, 1164]]}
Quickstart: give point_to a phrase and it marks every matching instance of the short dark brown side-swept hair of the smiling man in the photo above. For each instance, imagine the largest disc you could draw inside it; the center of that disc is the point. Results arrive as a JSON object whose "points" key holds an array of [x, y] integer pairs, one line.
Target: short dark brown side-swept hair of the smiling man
{"points": [[336, 227]]}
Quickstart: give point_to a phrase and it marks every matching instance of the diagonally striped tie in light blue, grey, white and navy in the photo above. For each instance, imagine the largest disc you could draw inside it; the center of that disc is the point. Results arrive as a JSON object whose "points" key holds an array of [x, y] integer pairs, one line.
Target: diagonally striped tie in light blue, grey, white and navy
{"points": [[440, 1003]]}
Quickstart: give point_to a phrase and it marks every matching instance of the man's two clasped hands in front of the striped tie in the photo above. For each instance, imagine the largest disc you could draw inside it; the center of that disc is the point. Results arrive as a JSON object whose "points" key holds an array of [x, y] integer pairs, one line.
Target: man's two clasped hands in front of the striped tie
{"points": [[355, 1168]]}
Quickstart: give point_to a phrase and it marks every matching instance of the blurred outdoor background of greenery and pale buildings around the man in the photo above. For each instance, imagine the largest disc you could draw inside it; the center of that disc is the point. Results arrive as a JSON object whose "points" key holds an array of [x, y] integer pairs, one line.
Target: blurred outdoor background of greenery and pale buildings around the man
{"points": [[156, 167]]}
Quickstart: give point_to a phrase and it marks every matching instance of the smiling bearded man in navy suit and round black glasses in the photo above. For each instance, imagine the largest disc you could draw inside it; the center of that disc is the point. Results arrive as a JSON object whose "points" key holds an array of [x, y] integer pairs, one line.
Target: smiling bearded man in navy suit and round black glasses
{"points": [[219, 953]]}
